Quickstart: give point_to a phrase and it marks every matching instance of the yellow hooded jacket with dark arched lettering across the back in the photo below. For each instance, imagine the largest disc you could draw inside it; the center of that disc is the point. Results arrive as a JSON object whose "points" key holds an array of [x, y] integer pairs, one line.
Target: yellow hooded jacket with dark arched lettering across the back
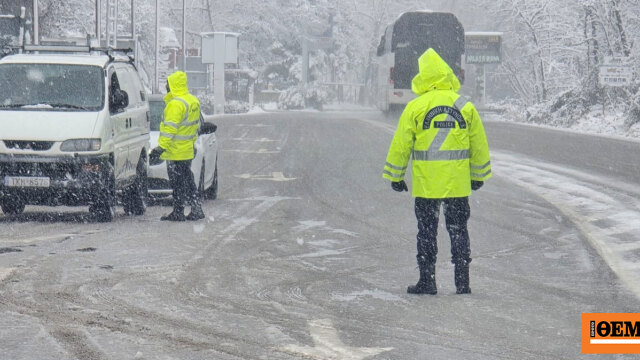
{"points": [[442, 133]]}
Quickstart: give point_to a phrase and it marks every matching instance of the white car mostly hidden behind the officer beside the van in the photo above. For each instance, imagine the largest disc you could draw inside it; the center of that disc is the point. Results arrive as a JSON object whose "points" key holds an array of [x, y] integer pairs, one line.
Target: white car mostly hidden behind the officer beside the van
{"points": [[204, 165]]}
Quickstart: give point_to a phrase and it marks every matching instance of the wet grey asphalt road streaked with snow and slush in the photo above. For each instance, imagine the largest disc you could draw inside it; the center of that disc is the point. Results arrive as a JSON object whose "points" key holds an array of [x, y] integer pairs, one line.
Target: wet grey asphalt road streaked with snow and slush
{"points": [[307, 253]]}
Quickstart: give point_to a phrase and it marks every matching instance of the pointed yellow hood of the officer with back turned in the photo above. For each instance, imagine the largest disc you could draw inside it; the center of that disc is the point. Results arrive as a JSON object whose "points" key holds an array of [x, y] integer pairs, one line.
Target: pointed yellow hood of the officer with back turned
{"points": [[434, 74]]}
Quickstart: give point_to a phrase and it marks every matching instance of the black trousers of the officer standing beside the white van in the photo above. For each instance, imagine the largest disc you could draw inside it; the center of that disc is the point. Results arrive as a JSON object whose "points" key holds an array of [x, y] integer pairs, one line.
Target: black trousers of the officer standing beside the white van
{"points": [[182, 183]]}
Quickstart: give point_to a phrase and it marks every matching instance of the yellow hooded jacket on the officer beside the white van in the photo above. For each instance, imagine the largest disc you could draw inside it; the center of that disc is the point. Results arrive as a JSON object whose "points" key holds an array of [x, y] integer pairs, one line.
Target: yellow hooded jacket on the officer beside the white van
{"points": [[179, 127]]}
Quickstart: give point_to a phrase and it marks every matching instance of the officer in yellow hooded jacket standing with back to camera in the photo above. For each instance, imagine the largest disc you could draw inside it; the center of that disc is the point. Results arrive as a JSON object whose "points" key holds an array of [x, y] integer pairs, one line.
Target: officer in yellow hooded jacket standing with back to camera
{"points": [[444, 136]]}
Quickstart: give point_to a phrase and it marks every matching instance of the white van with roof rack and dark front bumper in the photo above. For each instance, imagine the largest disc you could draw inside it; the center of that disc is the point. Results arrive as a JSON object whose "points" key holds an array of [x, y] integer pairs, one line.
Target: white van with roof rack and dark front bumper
{"points": [[74, 130]]}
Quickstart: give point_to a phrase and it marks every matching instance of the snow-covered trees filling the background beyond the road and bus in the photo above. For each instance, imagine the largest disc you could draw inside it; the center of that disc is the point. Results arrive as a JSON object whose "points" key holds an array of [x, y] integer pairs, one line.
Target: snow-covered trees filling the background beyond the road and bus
{"points": [[552, 49]]}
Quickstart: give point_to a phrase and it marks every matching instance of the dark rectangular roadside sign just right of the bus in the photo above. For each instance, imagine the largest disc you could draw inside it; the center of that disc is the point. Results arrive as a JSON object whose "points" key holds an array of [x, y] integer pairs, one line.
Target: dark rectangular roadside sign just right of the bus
{"points": [[483, 47]]}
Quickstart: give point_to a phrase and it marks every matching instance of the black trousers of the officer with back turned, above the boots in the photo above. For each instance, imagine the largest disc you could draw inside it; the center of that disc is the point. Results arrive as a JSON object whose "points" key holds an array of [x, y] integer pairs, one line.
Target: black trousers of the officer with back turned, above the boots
{"points": [[456, 214]]}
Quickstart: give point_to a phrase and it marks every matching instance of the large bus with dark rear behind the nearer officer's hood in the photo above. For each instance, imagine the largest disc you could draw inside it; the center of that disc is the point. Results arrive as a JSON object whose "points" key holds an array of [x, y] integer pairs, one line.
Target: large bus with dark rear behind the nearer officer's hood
{"points": [[402, 44]]}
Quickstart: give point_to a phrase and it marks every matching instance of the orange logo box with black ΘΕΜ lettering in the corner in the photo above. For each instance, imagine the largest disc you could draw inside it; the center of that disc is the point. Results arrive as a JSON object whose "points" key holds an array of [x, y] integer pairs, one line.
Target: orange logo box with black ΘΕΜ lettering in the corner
{"points": [[614, 333]]}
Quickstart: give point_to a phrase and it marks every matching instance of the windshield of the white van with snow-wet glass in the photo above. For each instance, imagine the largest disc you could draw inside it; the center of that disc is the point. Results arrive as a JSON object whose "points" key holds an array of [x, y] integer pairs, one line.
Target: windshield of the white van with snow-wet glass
{"points": [[51, 87]]}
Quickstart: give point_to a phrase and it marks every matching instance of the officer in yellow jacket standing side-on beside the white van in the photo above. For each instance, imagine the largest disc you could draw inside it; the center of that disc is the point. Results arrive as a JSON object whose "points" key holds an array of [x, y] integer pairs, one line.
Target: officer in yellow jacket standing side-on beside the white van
{"points": [[178, 134]]}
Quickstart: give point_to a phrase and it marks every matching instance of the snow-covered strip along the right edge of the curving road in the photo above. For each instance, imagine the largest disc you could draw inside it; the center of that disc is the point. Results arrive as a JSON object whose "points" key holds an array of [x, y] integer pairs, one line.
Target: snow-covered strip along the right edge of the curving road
{"points": [[607, 213]]}
